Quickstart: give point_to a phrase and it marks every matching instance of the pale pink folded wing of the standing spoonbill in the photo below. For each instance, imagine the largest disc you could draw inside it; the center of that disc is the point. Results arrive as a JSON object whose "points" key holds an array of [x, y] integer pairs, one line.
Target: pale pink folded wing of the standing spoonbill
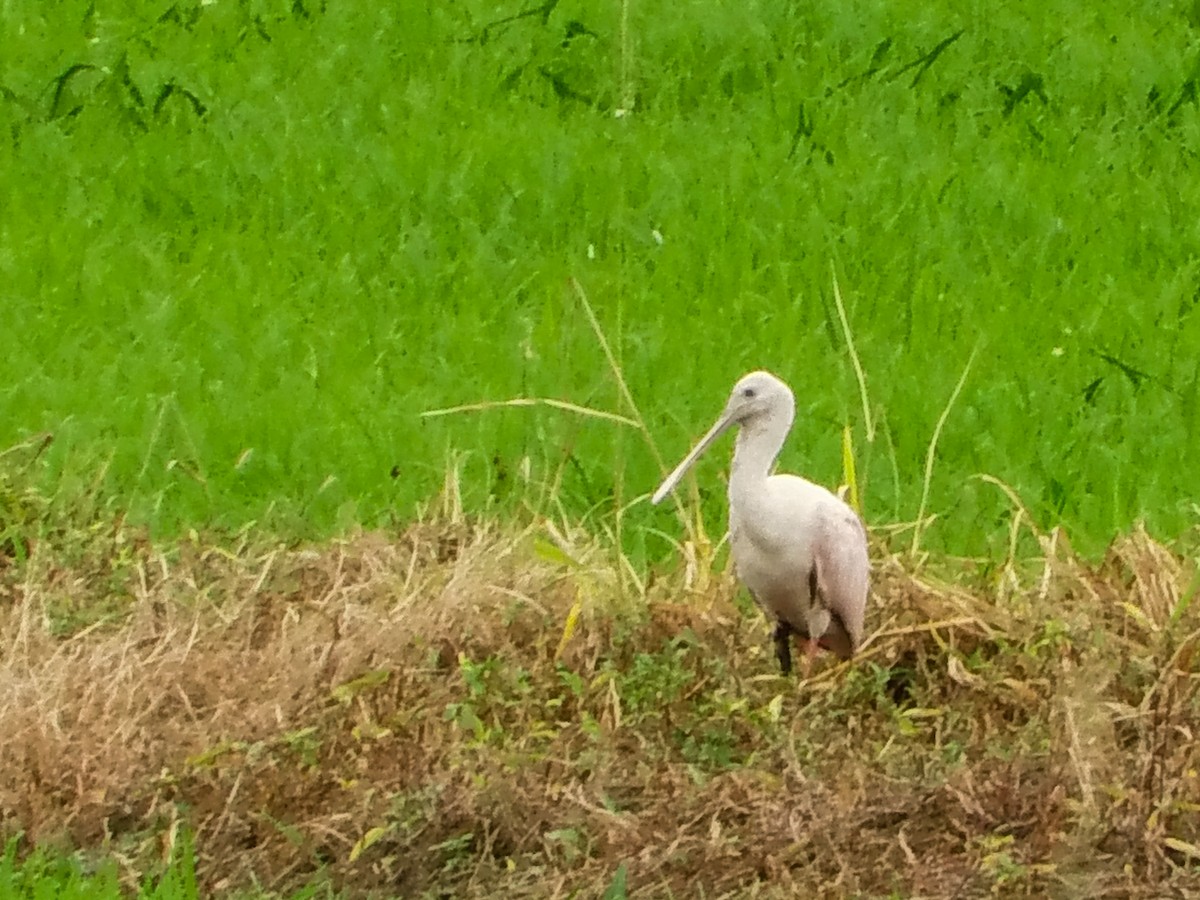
{"points": [[843, 569]]}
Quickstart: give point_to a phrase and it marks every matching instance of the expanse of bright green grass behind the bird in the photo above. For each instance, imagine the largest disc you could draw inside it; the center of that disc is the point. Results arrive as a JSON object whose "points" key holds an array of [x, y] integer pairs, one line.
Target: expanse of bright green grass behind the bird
{"points": [[245, 245]]}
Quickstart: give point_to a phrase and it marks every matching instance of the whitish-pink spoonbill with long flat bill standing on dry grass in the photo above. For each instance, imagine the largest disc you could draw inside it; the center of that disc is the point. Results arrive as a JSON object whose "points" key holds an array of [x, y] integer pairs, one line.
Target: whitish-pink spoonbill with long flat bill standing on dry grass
{"points": [[800, 550]]}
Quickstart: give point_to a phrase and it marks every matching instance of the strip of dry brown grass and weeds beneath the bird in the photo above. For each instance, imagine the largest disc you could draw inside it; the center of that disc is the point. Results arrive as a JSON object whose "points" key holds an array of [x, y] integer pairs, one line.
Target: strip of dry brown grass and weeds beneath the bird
{"points": [[391, 715]]}
